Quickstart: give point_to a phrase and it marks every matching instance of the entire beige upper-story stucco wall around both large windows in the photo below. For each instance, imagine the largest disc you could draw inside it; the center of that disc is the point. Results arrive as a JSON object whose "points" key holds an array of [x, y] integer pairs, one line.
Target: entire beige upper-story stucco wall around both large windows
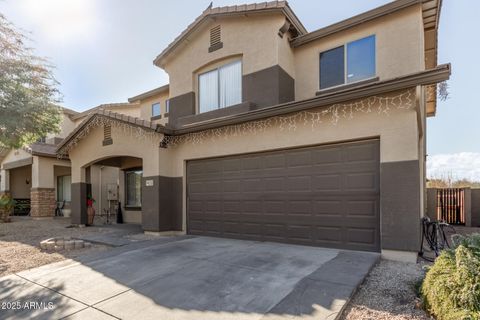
{"points": [[399, 49]]}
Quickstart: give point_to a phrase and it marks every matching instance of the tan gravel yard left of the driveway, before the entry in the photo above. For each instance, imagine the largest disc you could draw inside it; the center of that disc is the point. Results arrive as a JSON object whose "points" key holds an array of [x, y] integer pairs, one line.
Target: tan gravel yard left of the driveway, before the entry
{"points": [[20, 243]]}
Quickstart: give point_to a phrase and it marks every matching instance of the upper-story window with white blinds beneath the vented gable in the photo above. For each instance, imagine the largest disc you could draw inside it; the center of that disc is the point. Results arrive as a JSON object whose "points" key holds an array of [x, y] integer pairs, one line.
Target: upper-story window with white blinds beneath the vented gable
{"points": [[221, 87]]}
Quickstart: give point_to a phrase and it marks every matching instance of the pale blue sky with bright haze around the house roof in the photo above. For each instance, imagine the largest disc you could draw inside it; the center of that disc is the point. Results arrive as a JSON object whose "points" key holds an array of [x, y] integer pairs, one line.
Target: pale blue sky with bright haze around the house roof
{"points": [[103, 52]]}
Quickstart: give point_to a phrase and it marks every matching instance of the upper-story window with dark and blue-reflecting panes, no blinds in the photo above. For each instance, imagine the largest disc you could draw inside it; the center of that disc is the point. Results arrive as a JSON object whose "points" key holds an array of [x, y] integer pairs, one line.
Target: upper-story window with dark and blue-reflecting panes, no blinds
{"points": [[352, 62]]}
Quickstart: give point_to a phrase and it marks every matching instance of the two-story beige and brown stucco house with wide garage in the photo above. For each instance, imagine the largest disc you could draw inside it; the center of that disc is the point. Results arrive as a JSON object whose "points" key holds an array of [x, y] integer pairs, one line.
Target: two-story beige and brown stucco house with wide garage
{"points": [[269, 132]]}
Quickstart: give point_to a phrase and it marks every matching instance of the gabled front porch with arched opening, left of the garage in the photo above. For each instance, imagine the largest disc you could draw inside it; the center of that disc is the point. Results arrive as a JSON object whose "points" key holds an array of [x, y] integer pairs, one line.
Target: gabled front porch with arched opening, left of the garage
{"points": [[126, 152]]}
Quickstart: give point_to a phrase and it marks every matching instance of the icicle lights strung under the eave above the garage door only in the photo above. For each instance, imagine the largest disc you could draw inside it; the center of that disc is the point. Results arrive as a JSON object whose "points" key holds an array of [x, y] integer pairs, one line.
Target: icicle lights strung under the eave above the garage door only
{"points": [[381, 105]]}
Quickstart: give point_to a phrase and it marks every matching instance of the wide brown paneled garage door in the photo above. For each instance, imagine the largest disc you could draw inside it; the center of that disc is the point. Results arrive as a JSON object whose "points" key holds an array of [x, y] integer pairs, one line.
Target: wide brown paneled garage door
{"points": [[323, 196]]}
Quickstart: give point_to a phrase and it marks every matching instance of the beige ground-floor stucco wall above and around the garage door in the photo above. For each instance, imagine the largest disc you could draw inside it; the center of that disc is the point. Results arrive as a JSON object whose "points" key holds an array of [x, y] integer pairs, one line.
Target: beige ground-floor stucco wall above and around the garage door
{"points": [[396, 128]]}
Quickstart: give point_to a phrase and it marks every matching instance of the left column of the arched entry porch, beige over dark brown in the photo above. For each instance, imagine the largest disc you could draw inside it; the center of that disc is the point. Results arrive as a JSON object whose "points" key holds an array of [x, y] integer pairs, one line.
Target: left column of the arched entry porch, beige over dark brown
{"points": [[80, 187]]}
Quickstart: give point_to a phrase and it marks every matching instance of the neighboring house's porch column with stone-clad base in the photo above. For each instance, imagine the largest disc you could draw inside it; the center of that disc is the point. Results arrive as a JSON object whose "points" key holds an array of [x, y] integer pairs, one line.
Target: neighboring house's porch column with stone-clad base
{"points": [[42, 193]]}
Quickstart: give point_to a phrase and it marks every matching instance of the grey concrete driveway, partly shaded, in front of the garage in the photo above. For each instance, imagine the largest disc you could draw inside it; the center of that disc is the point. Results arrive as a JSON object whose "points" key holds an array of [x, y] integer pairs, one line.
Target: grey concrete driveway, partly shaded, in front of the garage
{"points": [[190, 278]]}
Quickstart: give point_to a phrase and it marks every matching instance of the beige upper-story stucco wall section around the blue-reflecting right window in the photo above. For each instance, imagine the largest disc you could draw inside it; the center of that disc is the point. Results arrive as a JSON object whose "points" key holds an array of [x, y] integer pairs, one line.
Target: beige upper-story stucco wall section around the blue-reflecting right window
{"points": [[399, 49]]}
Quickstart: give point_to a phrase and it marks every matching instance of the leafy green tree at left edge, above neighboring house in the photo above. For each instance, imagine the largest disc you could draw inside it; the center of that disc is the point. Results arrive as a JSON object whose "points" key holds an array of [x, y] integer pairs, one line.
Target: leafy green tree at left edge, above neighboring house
{"points": [[28, 91]]}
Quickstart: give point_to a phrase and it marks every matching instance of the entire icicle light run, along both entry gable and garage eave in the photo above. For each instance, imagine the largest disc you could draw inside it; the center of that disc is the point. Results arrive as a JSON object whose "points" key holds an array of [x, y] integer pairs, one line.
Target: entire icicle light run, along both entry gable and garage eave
{"points": [[380, 105]]}
